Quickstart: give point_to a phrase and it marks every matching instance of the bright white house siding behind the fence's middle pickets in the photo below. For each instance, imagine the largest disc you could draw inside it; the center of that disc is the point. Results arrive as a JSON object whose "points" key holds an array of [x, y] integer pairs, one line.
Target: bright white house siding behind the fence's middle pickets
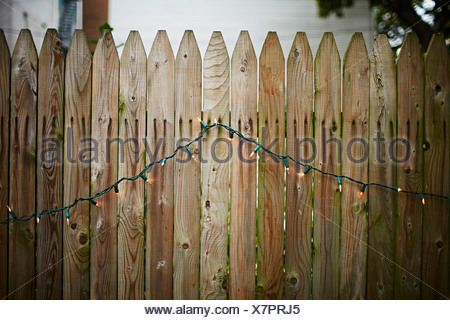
{"points": [[257, 16]]}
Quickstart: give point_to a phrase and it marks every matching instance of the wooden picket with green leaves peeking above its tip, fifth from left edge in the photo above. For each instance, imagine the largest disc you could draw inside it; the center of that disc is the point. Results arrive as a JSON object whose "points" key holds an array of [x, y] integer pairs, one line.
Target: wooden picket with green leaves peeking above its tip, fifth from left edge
{"points": [[105, 97]]}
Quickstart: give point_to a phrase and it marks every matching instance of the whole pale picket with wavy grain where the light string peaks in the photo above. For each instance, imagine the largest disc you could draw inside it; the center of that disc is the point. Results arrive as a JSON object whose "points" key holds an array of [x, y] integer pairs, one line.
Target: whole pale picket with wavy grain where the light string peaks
{"points": [[215, 171]]}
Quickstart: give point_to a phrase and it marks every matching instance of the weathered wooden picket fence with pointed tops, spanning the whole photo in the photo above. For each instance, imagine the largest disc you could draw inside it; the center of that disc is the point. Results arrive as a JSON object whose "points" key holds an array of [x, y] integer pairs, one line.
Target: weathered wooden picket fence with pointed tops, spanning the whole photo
{"points": [[210, 228]]}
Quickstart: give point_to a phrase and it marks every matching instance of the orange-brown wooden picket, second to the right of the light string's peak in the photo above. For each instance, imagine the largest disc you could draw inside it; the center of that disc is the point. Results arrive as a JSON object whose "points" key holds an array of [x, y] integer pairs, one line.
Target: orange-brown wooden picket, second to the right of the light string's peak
{"points": [[271, 170]]}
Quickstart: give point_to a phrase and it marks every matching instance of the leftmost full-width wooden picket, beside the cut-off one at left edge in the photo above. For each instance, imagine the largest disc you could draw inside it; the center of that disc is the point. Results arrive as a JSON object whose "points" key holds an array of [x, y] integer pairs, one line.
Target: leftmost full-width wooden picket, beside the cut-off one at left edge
{"points": [[24, 66]]}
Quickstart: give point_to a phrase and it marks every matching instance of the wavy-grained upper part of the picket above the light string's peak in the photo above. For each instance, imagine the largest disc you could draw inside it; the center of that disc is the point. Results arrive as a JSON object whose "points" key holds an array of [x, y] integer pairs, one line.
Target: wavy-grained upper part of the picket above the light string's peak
{"points": [[216, 73]]}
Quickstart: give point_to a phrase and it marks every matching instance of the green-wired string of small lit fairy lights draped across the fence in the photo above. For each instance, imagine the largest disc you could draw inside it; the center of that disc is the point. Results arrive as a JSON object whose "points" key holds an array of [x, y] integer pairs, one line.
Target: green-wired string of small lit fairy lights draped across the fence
{"points": [[141, 175]]}
